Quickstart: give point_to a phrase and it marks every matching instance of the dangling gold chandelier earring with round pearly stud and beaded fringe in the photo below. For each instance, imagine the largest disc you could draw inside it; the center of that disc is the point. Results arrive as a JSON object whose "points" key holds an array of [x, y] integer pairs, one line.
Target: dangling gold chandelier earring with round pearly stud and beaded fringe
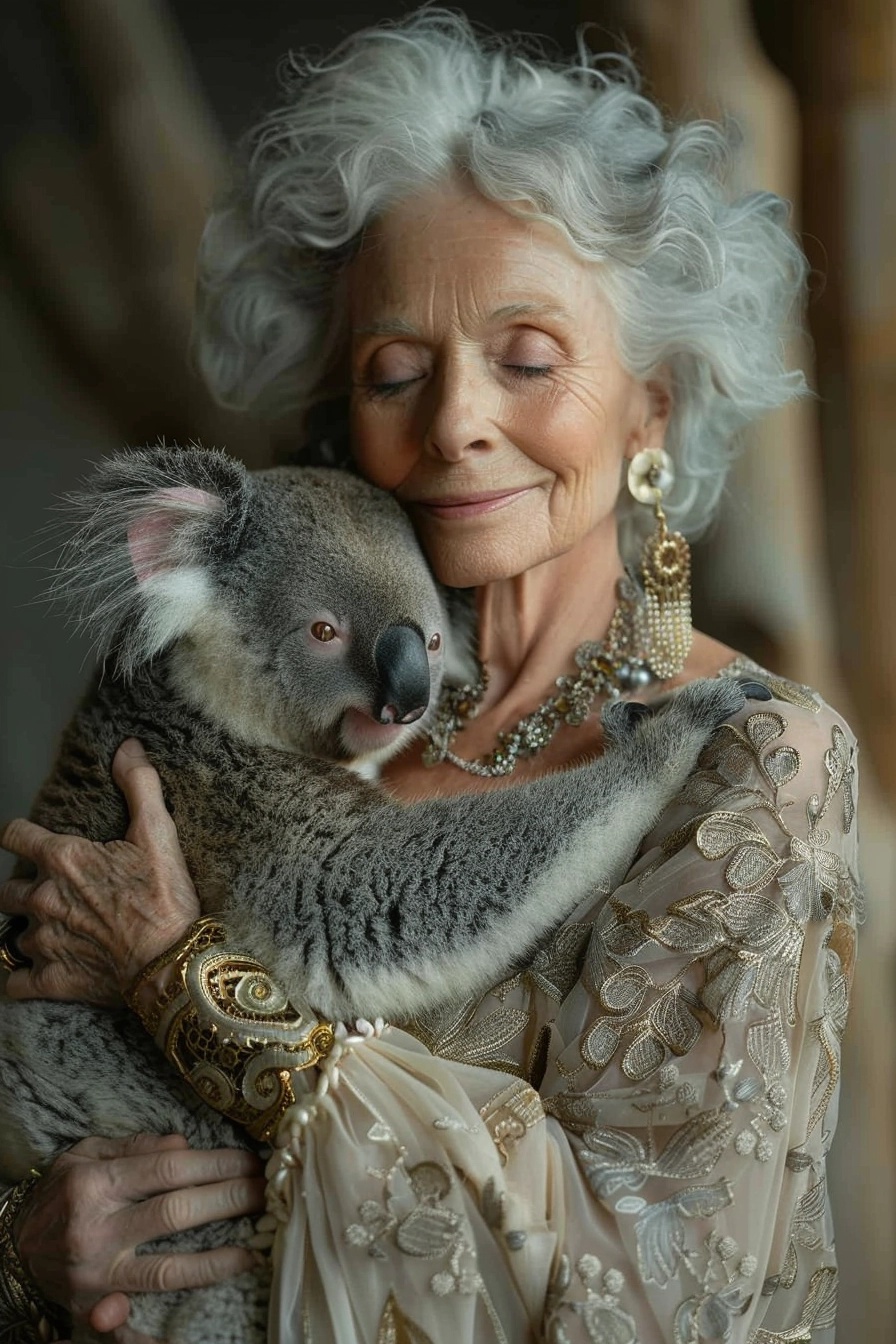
{"points": [[666, 571]]}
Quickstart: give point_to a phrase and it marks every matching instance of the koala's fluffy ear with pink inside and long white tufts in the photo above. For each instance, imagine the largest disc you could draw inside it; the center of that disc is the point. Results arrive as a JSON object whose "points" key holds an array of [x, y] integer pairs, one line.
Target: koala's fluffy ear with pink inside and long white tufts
{"points": [[151, 526]]}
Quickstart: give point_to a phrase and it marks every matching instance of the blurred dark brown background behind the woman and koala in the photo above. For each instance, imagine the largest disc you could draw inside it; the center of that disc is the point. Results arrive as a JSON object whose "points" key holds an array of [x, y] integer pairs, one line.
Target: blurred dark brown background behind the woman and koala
{"points": [[115, 123]]}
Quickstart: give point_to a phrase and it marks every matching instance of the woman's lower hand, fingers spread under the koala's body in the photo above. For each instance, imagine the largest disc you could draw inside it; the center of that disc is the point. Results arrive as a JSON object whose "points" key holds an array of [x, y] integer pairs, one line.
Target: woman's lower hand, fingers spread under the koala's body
{"points": [[80, 1230]]}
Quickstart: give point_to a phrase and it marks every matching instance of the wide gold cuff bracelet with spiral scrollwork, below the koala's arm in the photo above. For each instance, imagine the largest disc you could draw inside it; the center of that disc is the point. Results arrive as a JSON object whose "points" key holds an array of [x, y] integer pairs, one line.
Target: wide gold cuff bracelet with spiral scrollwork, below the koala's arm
{"points": [[230, 1029]]}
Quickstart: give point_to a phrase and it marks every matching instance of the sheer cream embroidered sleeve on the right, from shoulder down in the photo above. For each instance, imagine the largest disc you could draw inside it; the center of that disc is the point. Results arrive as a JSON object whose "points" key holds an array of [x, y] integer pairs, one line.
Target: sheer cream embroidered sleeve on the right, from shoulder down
{"points": [[695, 1066]]}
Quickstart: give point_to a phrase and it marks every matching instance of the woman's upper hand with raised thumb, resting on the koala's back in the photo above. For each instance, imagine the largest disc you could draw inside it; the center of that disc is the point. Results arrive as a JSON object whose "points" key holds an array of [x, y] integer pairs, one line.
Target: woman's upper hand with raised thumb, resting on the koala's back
{"points": [[99, 913]]}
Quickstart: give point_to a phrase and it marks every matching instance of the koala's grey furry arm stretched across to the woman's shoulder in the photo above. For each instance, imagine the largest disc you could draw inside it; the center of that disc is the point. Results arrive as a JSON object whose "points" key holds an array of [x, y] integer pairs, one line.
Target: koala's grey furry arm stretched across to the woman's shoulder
{"points": [[388, 909]]}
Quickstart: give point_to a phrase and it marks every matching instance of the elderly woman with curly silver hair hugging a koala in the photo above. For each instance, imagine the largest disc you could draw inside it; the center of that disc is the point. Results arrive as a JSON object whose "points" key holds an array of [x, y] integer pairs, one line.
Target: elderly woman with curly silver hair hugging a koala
{"points": [[551, 325]]}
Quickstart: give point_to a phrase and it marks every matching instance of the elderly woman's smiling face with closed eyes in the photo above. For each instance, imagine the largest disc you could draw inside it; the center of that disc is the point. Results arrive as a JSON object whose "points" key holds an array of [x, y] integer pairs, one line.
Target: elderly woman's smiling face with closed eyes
{"points": [[488, 396]]}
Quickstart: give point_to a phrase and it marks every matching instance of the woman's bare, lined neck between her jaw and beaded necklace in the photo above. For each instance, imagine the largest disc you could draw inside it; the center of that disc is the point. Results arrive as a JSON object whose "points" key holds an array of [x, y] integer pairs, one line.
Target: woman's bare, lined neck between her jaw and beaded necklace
{"points": [[531, 626]]}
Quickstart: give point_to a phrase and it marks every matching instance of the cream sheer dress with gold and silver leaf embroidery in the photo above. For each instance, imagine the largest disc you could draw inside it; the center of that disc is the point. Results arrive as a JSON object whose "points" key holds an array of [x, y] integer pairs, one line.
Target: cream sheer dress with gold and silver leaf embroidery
{"points": [[627, 1142]]}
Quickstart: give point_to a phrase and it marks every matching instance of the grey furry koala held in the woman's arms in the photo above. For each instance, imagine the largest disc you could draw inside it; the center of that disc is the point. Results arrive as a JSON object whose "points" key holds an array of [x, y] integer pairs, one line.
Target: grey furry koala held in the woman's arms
{"points": [[202, 583]]}
